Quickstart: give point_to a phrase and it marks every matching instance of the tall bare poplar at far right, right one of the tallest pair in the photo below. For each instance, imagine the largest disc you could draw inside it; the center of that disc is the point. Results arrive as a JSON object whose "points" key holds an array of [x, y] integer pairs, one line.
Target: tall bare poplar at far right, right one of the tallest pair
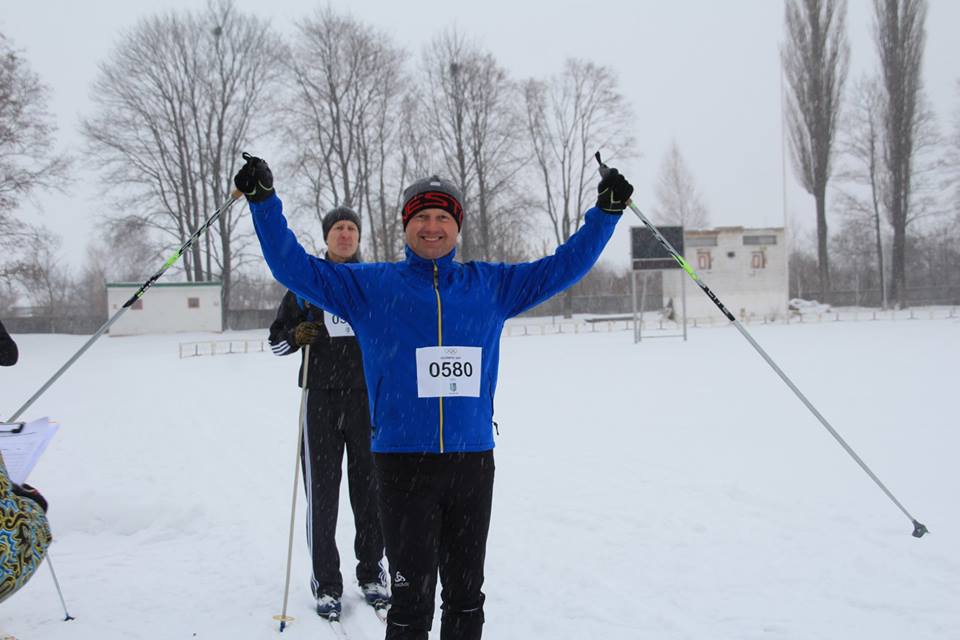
{"points": [[901, 38]]}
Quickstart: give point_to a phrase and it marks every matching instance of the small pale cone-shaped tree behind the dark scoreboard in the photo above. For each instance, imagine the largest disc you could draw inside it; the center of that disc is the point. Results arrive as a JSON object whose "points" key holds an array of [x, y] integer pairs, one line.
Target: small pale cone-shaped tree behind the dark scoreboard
{"points": [[678, 200]]}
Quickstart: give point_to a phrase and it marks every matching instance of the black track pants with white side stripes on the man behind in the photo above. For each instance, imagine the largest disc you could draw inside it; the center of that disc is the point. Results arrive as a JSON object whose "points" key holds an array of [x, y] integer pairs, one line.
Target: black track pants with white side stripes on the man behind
{"points": [[338, 419]]}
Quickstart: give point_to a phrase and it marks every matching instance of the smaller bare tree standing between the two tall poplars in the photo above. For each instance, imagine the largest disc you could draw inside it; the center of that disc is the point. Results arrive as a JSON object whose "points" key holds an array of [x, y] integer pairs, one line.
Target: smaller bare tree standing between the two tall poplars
{"points": [[862, 143]]}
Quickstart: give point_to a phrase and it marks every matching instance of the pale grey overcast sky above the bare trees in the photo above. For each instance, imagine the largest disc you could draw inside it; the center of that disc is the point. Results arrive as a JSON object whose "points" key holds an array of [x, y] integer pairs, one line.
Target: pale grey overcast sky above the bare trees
{"points": [[705, 73]]}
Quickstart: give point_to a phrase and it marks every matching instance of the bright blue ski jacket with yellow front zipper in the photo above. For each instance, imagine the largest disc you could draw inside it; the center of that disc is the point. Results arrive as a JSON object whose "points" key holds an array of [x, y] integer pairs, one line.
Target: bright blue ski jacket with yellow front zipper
{"points": [[397, 308]]}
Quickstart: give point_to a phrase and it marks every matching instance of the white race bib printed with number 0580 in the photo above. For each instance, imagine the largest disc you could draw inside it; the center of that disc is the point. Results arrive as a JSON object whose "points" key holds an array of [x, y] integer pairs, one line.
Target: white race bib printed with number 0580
{"points": [[443, 372]]}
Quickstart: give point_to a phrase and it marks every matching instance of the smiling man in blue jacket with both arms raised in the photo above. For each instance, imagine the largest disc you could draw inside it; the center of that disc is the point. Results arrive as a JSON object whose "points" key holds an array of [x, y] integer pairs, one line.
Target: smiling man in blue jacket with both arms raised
{"points": [[429, 329]]}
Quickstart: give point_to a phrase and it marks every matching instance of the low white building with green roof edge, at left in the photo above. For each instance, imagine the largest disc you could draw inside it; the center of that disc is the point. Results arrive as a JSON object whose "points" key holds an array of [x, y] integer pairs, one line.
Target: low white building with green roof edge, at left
{"points": [[166, 307]]}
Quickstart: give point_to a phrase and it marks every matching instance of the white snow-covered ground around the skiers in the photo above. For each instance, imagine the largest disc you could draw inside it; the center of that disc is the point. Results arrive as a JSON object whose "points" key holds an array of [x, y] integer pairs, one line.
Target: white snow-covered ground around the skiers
{"points": [[665, 490]]}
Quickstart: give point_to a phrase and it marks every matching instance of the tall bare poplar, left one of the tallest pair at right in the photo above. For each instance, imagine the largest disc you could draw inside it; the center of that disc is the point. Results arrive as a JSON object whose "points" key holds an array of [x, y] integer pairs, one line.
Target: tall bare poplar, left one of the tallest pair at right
{"points": [[815, 62]]}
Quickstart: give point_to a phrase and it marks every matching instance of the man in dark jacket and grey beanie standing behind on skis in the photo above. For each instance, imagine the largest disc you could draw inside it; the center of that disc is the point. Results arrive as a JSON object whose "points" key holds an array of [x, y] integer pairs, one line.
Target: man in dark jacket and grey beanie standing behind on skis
{"points": [[337, 418]]}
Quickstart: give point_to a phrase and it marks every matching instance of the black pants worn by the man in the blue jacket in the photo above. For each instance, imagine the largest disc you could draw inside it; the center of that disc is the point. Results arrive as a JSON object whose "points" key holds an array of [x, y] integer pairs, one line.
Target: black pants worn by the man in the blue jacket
{"points": [[435, 510]]}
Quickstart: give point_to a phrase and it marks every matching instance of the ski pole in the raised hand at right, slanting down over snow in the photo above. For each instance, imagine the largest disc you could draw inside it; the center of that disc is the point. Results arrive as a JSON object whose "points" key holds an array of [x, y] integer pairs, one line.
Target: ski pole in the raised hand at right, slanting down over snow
{"points": [[918, 528]]}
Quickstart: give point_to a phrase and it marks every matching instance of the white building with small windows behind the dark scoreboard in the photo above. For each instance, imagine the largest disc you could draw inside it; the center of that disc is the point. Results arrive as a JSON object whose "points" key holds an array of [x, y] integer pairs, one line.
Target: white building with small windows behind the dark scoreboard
{"points": [[745, 268]]}
